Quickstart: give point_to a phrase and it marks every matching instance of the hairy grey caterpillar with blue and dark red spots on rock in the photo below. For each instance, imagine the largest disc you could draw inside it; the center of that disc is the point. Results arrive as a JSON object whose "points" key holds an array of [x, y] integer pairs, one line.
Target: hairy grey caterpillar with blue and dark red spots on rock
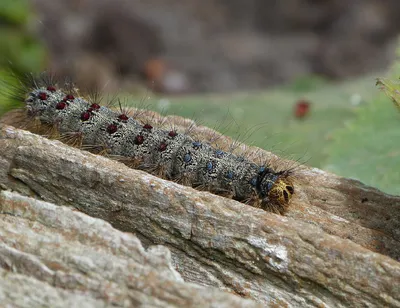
{"points": [[57, 111]]}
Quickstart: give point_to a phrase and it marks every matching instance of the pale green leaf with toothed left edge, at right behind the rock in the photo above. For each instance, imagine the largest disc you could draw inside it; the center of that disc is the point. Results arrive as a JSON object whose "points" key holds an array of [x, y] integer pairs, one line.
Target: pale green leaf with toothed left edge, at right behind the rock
{"points": [[368, 148]]}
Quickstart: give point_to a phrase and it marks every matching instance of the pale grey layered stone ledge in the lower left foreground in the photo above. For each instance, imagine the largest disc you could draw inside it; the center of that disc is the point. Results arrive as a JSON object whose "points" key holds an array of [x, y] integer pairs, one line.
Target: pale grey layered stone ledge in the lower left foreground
{"points": [[79, 261]]}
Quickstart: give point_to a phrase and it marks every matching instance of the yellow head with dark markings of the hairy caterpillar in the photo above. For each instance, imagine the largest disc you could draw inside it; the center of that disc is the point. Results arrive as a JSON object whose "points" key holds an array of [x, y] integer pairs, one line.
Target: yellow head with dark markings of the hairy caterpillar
{"points": [[275, 189]]}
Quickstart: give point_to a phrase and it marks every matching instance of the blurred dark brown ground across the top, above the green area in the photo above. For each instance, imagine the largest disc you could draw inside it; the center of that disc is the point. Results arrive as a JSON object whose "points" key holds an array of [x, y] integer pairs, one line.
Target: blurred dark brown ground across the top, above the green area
{"points": [[180, 46]]}
